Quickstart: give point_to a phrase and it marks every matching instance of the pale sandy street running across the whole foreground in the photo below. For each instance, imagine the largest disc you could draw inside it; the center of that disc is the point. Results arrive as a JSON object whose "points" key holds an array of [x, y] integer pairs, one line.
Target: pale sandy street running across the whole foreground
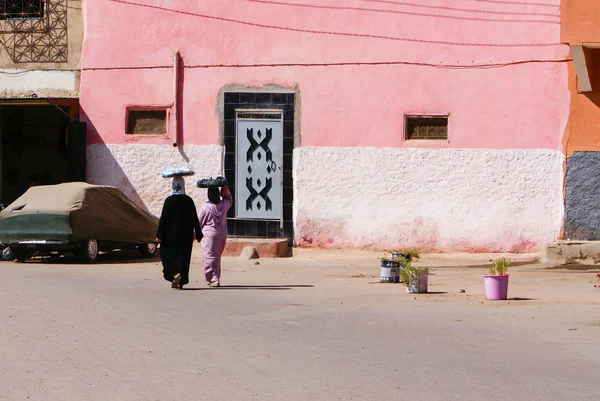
{"points": [[318, 326]]}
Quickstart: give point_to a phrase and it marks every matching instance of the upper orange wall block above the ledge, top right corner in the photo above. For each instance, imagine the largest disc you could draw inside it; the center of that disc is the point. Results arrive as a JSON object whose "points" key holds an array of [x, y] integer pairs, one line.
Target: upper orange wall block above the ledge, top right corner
{"points": [[579, 21]]}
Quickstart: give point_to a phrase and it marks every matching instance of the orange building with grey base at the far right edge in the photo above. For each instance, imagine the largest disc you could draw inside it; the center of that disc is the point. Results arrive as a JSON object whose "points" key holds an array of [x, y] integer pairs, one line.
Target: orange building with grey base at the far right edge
{"points": [[580, 29]]}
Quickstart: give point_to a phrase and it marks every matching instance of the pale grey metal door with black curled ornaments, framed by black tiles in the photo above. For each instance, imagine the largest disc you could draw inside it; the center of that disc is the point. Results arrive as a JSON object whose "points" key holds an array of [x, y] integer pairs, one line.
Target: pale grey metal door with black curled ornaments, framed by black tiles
{"points": [[259, 153]]}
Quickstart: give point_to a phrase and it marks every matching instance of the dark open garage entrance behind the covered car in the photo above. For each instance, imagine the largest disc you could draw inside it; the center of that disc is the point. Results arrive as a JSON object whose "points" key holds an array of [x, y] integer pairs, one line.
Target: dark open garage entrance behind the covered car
{"points": [[41, 145]]}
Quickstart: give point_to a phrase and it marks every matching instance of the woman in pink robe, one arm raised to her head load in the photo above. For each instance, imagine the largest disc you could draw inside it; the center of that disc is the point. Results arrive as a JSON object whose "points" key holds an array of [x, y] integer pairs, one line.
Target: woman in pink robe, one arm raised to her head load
{"points": [[213, 223]]}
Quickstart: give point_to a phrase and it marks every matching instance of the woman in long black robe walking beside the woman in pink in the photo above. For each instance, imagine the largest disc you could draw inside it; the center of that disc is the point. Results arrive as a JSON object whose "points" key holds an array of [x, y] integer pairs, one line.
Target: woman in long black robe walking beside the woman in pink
{"points": [[176, 228]]}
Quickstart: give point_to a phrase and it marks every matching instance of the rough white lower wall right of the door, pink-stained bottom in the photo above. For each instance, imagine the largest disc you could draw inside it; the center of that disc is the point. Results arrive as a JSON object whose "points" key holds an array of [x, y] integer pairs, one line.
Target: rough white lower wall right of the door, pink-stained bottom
{"points": [[437, 200]]}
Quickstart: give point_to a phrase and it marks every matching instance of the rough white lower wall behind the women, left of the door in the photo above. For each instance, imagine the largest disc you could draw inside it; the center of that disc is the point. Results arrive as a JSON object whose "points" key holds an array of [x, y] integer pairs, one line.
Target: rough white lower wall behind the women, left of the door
{"points": [[135, 169]]}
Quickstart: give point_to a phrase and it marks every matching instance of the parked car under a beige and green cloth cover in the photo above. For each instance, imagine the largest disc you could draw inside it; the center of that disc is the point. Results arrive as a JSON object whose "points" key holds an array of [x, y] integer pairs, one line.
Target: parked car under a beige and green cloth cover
{"points": [[76, 217]]}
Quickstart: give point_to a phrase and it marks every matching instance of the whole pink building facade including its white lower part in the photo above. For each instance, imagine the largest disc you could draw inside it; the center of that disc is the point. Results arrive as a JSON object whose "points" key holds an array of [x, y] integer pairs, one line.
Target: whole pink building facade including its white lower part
{"points": [[520, 106]]}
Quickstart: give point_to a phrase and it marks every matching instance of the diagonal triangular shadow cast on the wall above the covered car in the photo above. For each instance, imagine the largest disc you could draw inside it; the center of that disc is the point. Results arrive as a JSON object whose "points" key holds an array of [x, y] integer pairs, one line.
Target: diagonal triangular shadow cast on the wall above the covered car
{"points": [[111, 172]]}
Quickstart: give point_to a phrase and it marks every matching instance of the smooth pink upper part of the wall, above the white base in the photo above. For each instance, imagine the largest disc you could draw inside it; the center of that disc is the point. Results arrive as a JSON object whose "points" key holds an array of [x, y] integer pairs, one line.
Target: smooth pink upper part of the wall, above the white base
{"points": [[519, 106]]}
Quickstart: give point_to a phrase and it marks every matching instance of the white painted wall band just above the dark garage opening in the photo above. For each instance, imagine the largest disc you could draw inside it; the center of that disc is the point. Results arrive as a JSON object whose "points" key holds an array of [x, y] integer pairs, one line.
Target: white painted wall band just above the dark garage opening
{"points": [[14, 82]]}
